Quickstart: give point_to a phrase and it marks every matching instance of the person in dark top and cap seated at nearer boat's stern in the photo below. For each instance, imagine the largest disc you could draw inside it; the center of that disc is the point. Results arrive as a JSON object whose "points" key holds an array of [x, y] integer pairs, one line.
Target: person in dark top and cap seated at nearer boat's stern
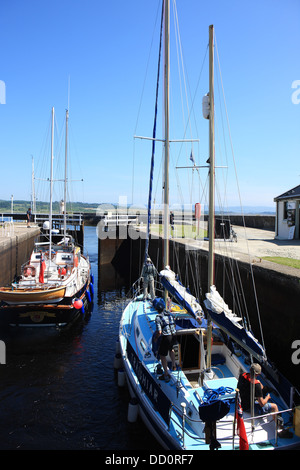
{"points": [[244, 386]]}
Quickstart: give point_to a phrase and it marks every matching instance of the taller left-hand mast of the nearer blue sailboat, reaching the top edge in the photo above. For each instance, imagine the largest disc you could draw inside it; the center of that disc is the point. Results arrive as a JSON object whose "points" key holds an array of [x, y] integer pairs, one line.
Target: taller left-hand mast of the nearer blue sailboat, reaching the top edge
{"points": [[167, 143]]}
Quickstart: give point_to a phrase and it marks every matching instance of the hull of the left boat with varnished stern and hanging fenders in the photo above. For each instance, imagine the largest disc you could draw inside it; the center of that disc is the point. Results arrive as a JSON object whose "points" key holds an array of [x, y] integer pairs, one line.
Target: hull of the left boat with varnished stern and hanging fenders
{"points": [[57, 304]]}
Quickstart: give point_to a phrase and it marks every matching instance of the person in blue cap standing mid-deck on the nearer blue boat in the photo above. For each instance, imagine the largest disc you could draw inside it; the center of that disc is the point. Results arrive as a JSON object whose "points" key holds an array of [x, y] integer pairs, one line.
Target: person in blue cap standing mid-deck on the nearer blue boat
{"points": [[165, 328]]}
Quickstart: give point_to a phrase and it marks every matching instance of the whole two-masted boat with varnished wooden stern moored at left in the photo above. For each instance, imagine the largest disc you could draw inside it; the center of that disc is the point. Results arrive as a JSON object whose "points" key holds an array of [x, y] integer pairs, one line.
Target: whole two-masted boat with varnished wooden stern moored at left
{"points": [[55, 287]]}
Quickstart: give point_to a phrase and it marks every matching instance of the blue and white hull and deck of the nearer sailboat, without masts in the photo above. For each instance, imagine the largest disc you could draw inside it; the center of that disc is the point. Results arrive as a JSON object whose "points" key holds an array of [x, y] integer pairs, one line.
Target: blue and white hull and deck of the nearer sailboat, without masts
{"points": [[158, 401]]}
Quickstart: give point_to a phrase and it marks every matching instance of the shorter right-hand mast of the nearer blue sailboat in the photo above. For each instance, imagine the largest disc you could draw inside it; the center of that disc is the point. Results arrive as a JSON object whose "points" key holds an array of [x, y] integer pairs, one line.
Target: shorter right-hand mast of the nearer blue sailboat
{"points": [[211, 160]]}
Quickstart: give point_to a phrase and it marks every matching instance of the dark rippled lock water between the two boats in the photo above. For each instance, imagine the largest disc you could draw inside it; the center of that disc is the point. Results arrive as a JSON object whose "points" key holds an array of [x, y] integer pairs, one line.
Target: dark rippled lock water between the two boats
{"points": [[59, 391]]}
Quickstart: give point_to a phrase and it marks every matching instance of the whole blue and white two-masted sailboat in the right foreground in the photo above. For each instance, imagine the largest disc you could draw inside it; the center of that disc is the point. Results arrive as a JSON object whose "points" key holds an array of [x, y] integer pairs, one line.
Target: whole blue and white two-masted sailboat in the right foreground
{"points": [[198, 408]]}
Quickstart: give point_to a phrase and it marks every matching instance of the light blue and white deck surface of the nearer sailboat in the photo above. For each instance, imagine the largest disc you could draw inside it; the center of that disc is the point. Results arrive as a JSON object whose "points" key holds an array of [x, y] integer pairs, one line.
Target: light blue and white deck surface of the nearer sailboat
{"points": [[185, 387]]}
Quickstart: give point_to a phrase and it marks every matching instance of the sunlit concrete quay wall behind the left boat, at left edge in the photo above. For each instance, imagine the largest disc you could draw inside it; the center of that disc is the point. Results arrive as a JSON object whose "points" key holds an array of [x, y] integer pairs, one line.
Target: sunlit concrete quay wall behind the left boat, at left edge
{"points": [[16, 245]]}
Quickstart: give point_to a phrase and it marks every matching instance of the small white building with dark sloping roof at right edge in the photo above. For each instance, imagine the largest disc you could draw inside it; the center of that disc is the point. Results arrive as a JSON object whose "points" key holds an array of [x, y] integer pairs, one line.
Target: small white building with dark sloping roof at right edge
{"points": [[287, 214]]}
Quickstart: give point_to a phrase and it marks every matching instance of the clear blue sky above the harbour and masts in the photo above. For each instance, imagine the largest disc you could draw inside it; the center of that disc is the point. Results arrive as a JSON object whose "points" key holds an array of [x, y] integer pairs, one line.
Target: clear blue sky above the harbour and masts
{"points": [[103, 46]]}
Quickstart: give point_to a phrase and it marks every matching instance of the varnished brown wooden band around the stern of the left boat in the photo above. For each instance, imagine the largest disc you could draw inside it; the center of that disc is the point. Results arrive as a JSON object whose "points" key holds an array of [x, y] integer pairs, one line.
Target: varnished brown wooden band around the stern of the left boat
{"points": [[31, 296]]}
